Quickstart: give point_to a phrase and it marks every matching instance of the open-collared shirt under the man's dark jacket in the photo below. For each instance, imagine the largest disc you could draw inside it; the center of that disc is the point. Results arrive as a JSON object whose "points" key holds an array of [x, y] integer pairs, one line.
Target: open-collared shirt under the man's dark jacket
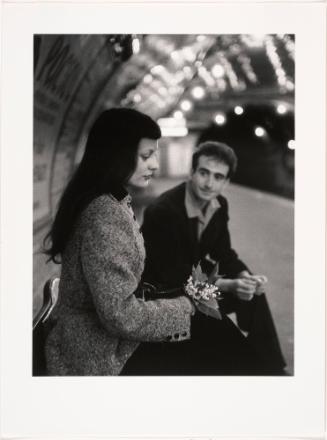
{"points": [[193, 209]]}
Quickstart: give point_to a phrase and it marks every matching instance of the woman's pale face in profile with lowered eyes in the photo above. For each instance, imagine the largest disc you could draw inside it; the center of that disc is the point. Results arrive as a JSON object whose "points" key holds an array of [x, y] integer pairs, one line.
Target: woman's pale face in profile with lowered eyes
{"points": [[147, 163]]}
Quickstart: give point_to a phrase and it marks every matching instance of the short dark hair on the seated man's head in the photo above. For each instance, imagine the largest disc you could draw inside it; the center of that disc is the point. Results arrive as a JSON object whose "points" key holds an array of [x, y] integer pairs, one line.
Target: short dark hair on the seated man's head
{"points": [[219, 151]]}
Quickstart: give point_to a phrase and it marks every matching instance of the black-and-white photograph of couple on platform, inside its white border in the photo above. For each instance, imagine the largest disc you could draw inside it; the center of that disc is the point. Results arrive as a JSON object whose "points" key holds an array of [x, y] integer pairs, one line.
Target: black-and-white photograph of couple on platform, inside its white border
{"points": [[163, 167]]}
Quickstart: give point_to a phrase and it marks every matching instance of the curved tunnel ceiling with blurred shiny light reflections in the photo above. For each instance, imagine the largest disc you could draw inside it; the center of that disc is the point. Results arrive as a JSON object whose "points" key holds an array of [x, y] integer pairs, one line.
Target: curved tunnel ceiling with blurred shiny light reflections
{"points": [[209, 71]]}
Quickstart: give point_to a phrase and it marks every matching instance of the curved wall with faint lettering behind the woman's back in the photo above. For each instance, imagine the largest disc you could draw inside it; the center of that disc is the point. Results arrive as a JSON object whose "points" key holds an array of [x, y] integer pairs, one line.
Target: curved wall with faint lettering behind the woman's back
{"points": [[69, 89]]}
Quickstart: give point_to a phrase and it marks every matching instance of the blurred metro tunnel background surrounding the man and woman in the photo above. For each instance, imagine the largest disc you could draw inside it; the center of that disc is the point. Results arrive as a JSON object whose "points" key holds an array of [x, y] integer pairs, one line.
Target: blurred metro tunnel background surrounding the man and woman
{"points": [[235, 89]]}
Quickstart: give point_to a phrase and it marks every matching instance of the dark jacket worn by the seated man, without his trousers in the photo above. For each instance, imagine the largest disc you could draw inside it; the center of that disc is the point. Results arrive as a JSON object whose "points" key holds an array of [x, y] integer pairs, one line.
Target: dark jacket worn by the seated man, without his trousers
{"points": [[172, 245]]}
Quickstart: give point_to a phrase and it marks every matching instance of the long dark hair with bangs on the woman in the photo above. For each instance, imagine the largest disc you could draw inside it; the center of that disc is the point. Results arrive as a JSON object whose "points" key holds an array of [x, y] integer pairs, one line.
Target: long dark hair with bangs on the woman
{"points": [[109, 160]]}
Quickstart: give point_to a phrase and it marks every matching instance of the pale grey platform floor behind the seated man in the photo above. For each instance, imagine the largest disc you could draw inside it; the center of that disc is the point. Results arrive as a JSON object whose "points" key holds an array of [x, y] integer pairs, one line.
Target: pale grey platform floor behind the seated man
{"points": [[262, 232]]}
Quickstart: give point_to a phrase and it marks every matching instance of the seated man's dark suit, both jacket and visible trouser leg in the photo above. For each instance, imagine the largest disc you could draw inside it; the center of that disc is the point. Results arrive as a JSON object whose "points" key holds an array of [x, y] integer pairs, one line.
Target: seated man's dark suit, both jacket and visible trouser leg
{"points": [[172, 248]]}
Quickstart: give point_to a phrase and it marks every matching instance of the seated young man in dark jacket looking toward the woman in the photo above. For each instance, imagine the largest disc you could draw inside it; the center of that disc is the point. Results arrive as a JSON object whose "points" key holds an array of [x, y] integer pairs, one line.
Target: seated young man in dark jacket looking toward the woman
{"points": [[189, 224]]}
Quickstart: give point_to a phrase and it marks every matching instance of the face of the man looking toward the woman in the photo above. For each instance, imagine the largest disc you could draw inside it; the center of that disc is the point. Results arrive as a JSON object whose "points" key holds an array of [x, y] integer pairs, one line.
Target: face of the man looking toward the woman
{"points": [[209, 178]]}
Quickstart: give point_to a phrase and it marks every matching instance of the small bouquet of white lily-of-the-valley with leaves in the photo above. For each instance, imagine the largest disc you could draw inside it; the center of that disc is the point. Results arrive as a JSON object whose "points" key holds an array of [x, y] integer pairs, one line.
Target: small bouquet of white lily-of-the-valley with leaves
{"points": [[203, 291]]}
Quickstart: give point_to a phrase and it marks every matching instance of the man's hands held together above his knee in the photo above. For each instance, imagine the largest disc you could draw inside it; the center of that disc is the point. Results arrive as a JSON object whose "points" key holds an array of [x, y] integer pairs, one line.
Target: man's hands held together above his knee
{"points": [[244, 287]]}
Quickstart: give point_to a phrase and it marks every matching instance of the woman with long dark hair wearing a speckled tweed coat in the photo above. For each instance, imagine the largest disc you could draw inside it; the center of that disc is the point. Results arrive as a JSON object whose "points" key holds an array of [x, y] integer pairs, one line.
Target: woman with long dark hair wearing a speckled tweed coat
{"points": [[101, 318]]}
